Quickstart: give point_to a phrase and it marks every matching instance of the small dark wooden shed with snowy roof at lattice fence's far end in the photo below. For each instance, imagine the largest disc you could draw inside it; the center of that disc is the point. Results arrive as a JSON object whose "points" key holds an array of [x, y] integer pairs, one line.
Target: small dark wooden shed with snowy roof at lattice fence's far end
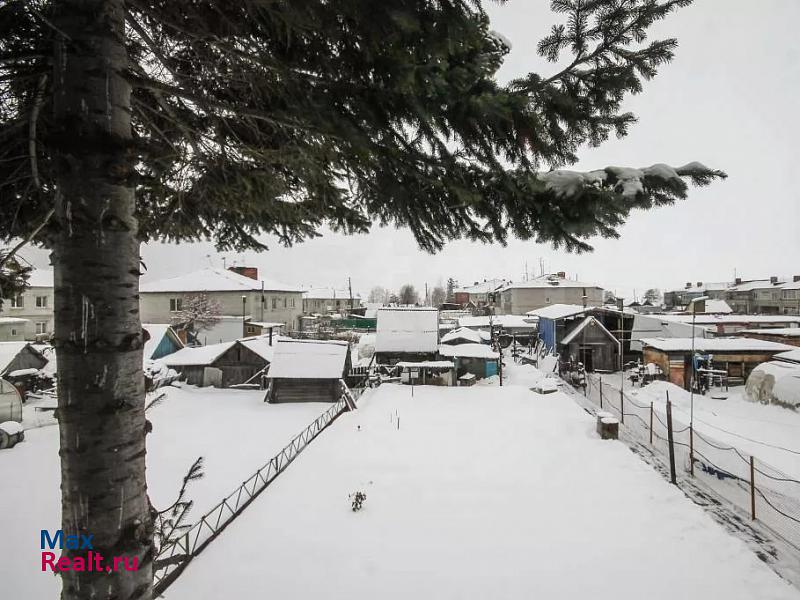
{"points": [[307, 371]]}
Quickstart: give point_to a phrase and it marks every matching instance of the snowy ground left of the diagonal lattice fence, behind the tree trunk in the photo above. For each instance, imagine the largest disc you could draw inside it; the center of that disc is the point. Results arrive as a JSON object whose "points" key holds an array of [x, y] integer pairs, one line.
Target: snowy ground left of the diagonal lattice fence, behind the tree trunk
{"points": [[234, 430]]}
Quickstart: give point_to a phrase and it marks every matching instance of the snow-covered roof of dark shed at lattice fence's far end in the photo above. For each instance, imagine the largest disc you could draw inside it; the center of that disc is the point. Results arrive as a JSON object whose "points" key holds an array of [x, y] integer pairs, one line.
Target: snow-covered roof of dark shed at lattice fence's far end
{"points": [[309, 359]]}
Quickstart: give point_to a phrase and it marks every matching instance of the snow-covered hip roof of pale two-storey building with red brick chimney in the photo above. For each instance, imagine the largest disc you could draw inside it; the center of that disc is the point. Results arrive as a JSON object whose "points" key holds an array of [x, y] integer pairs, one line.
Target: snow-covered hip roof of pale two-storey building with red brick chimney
{"points": [[212, 279]]}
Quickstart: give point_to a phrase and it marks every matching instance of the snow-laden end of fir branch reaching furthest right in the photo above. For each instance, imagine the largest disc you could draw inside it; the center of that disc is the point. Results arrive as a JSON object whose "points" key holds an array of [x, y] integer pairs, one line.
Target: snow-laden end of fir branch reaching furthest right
{"points": [[627, 181]]}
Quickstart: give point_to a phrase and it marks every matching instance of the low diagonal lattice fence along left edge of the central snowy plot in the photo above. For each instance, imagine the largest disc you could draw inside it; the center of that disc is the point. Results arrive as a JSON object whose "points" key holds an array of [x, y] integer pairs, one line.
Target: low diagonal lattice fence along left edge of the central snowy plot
{"points": [[176, 554]]}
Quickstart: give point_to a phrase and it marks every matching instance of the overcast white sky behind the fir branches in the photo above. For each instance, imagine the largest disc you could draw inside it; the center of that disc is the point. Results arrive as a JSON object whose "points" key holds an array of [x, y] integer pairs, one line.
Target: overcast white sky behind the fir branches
{"points": [[729, 100]]}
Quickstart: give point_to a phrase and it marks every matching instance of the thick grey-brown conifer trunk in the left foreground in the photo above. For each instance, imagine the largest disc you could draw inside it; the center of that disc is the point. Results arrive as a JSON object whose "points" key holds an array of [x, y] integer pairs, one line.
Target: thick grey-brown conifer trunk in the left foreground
{"points": [[98, 334]]}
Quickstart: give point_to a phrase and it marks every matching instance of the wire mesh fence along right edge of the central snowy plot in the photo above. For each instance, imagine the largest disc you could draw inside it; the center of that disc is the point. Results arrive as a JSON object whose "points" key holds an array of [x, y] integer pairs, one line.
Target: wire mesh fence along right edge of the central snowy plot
{"points": [[762, 491]]}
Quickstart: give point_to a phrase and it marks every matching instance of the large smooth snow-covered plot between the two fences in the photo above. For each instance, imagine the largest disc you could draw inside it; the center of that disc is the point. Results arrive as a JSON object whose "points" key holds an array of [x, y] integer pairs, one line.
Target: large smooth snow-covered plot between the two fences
{"points": [[482, 492]]}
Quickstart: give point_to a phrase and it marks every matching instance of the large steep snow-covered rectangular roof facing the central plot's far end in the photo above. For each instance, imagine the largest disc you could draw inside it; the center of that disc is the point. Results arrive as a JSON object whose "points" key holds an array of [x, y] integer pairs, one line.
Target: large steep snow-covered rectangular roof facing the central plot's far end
{"points": [[407, 330]]}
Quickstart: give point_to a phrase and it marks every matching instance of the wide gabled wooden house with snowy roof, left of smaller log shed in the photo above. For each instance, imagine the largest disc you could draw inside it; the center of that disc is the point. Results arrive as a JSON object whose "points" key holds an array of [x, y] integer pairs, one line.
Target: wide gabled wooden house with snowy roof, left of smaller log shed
{"points": [[222, 365]]}
